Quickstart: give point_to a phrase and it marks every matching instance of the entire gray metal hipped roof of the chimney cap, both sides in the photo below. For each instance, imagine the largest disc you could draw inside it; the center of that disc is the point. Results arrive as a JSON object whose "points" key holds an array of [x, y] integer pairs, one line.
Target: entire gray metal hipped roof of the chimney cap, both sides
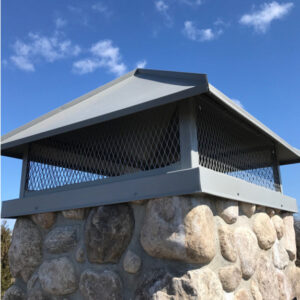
{"points": [[136, 91]]}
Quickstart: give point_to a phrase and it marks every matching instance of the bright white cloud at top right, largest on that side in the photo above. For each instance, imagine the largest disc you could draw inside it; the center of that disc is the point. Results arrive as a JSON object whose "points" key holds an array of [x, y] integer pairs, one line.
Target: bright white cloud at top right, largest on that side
{"points": [[261, 19]]}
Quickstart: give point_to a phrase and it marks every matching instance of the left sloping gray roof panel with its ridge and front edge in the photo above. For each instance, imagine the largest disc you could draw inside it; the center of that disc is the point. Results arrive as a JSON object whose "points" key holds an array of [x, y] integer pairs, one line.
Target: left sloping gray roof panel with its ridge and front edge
{"points": [[135, 91]]}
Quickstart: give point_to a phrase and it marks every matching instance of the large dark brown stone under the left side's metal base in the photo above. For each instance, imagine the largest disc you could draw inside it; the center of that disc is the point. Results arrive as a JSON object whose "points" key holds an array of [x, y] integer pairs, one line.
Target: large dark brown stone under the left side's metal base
{"points": [[108, 232]]}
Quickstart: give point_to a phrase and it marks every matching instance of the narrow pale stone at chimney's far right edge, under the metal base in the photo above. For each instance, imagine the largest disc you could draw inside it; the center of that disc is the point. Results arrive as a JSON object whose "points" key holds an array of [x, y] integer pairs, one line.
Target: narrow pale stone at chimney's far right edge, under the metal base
{"points": [[289, 237]]}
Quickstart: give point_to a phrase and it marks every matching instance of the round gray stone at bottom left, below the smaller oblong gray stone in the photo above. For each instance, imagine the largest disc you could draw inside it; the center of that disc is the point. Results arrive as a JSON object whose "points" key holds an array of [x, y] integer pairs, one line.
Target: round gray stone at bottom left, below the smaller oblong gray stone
{"points": [[58, 276]]}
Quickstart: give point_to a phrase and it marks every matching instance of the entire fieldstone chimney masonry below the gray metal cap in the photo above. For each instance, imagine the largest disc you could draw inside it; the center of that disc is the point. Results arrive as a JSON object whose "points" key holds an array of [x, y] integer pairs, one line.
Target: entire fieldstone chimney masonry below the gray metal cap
{"points": [[187, 247]]}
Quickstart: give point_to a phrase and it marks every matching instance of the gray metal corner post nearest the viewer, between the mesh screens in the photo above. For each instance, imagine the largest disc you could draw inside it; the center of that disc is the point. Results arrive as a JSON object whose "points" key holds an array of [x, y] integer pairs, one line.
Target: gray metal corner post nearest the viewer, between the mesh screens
{"points": [[188, 134]]}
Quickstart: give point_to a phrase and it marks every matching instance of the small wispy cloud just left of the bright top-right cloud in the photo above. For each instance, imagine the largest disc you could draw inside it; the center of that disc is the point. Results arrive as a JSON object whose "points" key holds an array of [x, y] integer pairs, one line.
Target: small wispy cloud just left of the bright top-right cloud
{"points": [[200, 35]]}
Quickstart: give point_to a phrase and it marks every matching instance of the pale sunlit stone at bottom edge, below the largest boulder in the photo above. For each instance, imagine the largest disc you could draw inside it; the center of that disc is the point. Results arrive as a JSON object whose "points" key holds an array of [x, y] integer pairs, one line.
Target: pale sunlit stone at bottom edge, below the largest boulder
{"points": [[206, 283]]}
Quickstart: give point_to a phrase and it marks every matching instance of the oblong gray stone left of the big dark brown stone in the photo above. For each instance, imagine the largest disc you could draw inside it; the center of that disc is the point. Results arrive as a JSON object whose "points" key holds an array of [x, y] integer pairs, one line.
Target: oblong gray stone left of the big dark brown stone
{"points": [[61, 239]]}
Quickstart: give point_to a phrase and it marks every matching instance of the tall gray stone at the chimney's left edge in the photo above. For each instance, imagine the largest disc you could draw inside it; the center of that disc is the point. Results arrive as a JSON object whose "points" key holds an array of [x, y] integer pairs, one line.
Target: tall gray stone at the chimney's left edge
{"points": [[25, 252]]}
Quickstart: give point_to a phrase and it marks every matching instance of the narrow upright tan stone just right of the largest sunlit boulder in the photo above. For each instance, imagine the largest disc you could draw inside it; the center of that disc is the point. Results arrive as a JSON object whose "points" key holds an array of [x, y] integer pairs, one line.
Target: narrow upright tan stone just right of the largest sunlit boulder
{"points": [[226, 240]]}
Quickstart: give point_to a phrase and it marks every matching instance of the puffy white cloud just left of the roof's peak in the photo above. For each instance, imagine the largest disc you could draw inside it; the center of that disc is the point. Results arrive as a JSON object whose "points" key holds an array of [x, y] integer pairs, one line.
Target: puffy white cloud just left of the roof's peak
{"points": [[104, 55]]}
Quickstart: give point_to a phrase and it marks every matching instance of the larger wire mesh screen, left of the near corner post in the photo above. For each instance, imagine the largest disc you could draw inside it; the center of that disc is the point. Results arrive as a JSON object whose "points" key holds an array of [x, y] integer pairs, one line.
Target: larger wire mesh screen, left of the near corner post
{"points": [[140, 142]]}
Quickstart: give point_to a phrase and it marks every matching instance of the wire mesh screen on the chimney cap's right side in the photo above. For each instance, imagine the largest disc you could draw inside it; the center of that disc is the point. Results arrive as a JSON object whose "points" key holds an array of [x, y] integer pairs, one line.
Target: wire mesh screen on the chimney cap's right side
{"points": [[228, 145]]}
